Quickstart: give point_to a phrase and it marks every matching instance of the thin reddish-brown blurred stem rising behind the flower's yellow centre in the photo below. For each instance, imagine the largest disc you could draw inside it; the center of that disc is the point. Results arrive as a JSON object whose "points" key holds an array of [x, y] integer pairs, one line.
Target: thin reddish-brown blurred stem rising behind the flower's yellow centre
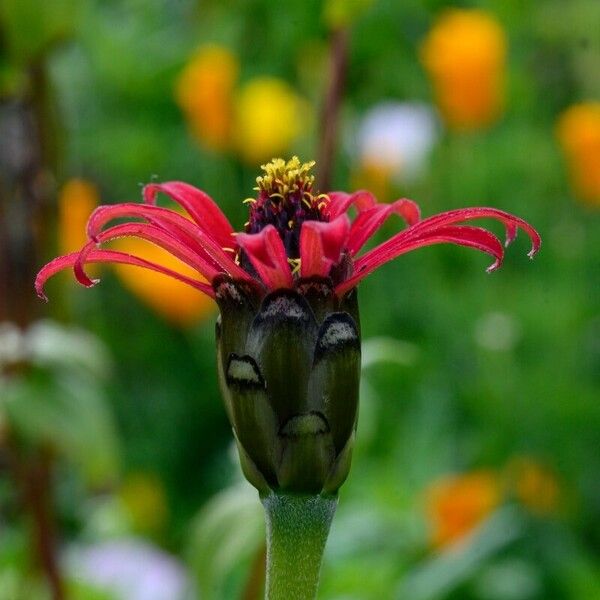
{"points": [[331, 108]]}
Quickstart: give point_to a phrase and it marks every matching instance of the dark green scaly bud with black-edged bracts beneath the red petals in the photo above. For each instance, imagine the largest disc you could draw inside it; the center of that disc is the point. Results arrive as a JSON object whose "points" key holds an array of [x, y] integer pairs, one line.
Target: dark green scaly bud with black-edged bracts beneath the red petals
{"points": [[289, 368]]}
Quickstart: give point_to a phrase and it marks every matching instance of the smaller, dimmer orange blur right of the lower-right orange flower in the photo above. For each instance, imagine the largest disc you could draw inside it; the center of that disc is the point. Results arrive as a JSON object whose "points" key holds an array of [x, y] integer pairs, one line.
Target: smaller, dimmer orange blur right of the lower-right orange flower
{"points": [[534, 485]]}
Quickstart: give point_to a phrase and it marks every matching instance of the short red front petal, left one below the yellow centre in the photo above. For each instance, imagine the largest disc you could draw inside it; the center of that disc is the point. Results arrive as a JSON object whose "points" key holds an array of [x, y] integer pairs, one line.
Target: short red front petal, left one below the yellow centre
{"points": [[267, 255]]}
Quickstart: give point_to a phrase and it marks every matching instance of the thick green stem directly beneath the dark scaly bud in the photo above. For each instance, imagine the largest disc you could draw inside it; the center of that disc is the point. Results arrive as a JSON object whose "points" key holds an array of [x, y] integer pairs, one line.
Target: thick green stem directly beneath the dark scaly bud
{"points": [[297, 529]]}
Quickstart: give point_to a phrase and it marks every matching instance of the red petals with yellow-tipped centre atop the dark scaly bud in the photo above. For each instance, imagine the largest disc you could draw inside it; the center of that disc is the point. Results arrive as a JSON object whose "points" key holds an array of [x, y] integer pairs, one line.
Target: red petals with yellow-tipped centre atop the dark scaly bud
{"points": [[291, 233]]}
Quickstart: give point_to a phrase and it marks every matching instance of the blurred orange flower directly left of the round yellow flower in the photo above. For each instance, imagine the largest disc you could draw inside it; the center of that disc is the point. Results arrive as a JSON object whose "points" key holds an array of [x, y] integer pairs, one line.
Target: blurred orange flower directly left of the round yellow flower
{"points": [[204, 91]]}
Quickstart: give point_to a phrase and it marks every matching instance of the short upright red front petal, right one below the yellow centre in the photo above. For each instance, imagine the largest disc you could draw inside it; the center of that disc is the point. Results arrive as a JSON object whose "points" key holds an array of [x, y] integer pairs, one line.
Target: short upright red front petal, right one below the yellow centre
{"points": [[322, 244]]}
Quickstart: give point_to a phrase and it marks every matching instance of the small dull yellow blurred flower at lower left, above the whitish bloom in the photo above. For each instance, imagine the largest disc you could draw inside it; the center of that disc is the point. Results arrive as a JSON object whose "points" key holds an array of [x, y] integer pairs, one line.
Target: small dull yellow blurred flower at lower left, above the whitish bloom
{"points": [[143, 498]]}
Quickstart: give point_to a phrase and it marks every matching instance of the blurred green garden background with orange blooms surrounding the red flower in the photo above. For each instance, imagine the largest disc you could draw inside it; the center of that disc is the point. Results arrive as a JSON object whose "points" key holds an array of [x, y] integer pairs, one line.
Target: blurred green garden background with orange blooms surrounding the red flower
{"points": [[477, 468]]}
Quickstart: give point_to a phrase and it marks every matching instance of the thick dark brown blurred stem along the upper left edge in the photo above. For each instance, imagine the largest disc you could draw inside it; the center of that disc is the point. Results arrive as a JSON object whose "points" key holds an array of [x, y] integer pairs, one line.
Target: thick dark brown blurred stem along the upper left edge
{"points": [[26, 190]]}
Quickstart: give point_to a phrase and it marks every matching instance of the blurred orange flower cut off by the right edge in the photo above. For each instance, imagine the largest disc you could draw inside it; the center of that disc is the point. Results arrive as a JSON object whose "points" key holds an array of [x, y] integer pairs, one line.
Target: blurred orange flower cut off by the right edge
{"points": [[578, 131]]}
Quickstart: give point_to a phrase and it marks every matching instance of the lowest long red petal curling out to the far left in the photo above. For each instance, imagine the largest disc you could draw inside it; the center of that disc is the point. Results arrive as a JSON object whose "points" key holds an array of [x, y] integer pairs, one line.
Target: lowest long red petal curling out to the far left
{"points": [[111, 256]]}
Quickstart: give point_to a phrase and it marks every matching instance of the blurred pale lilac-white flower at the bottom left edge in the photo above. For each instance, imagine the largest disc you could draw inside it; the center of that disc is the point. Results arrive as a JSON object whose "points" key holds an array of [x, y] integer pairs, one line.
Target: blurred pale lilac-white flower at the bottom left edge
{"points": [[130, 569]]}
